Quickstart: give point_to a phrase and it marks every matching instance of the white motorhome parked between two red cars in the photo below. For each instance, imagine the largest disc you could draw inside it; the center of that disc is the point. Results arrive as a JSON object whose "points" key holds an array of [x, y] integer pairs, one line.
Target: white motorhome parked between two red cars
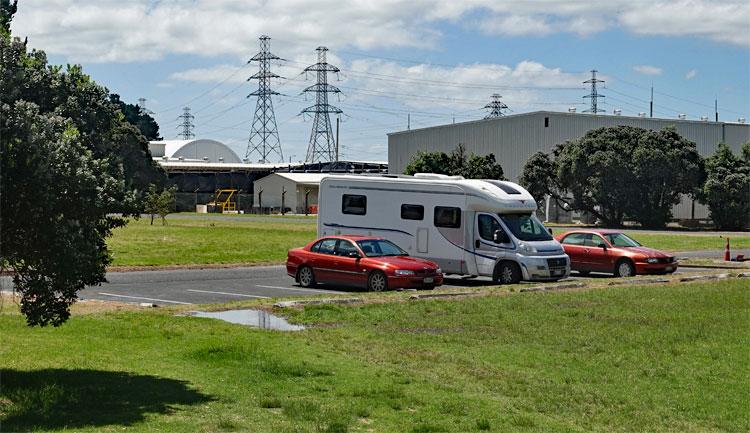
{"points": [[468, 227]]}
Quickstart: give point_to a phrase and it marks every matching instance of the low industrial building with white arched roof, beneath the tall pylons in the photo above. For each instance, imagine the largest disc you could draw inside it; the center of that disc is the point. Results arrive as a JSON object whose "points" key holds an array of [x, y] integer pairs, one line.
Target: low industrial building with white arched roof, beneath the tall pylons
{"points": [[201, 167]]}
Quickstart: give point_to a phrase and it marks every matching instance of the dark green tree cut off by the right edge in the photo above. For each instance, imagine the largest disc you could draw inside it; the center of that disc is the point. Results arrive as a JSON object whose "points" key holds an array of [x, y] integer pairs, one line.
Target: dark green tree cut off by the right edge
{"points": [[726, 191]]}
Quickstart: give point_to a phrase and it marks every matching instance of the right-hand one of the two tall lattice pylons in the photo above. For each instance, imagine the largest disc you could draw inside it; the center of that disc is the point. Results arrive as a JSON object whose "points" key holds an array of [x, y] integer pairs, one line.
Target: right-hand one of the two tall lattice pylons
{"points": [[322, 145]]}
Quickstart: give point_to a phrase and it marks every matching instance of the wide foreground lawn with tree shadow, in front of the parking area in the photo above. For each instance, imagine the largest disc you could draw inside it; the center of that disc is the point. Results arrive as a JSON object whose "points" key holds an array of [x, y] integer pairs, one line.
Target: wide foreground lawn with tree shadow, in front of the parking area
{"points": [[629, 359]]}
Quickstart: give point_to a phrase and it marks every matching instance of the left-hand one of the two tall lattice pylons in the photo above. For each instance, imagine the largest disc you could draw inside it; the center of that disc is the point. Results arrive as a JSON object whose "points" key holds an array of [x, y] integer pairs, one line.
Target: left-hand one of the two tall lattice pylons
{"points": [[264, 136]]}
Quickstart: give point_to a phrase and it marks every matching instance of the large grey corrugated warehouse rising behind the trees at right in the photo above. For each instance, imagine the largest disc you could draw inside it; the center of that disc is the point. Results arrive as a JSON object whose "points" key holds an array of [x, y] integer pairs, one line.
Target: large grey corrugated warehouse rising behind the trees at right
{"points": [[514, 138]]}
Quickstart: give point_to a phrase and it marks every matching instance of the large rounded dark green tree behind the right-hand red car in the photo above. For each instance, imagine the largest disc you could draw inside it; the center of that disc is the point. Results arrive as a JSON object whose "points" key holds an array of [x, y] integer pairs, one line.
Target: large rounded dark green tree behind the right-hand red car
{"points": [[618, 172]]}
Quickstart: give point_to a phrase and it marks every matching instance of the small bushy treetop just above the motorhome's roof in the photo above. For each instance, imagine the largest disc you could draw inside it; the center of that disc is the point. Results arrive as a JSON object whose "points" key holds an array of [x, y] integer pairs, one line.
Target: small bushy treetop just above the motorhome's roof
{"points": [[457, 163]]}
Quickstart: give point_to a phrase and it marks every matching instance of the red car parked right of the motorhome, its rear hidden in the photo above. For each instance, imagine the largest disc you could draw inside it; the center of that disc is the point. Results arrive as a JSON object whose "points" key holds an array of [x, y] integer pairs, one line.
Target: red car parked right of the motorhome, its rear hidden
{"points": [[613, 252]]}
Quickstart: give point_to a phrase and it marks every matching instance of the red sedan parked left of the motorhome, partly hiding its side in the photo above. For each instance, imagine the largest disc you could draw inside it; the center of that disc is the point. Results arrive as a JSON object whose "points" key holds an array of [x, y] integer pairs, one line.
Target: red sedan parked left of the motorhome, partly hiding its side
{"points": [[372, 263]]}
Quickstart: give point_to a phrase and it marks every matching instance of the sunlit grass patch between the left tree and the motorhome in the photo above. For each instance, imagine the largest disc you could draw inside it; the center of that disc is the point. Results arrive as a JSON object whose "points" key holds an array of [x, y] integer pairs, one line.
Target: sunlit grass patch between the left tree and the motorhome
{"points": [[197, 241]]}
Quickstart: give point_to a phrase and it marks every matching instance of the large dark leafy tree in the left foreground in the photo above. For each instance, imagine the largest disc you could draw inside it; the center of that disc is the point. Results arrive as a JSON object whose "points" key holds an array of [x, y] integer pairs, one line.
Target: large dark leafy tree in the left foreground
{"points": [[68, 161]]}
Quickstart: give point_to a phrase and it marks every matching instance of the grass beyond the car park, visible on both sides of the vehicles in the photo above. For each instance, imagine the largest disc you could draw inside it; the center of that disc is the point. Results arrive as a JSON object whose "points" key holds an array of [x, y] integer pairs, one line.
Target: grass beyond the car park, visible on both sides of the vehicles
{"points": [[193, 240]]}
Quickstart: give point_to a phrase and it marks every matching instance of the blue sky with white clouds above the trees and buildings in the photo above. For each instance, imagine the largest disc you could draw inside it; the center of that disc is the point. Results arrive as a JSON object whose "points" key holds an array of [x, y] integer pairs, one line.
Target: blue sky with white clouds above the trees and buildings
{"points": [[403, 63]]}
